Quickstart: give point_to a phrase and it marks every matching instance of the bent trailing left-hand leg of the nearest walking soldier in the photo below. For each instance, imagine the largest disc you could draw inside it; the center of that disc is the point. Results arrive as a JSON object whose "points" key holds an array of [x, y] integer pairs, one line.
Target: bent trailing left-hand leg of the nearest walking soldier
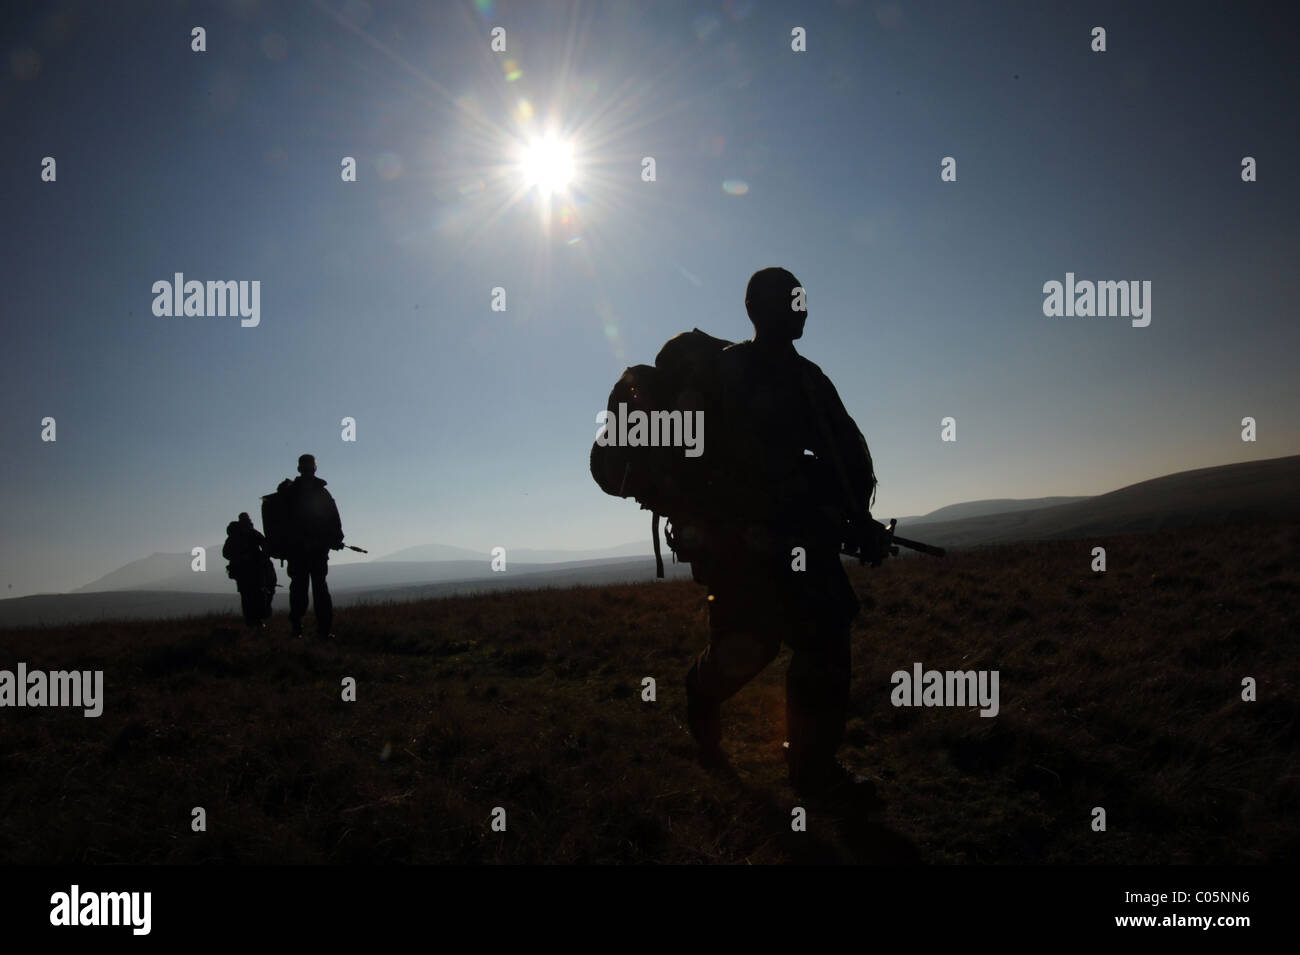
{"points": [[742, 643]]}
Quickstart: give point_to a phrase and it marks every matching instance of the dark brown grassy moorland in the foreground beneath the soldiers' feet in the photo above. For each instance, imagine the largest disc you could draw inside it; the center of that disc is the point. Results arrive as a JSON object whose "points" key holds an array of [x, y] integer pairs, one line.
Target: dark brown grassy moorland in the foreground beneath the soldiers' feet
{"points": [[1119, 691]]}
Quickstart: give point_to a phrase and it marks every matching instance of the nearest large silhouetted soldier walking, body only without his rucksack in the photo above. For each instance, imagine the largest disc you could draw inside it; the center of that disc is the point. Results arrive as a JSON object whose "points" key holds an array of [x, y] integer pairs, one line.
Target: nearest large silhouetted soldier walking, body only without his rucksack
{"points": [[774, 407]]}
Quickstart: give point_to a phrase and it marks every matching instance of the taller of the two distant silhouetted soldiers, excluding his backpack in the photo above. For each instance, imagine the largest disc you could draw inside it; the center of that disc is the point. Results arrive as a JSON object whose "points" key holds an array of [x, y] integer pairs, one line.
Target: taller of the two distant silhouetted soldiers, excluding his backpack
{"points": [[315, 531]]}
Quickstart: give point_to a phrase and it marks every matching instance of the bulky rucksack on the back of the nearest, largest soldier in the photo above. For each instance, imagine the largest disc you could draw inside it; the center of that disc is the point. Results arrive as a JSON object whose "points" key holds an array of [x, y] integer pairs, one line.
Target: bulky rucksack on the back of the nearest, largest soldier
{"points": [[664, 480]]}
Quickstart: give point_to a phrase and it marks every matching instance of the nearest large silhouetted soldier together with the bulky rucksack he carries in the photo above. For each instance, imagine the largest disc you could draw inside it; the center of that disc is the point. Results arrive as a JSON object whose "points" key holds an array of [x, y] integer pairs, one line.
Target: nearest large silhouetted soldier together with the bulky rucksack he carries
{"points": [[761, 515]]}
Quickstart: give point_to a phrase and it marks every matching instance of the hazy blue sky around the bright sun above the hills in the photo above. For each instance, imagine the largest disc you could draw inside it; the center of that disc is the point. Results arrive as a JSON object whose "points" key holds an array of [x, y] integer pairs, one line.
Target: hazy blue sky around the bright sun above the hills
{"points": [[925, 297]]}
